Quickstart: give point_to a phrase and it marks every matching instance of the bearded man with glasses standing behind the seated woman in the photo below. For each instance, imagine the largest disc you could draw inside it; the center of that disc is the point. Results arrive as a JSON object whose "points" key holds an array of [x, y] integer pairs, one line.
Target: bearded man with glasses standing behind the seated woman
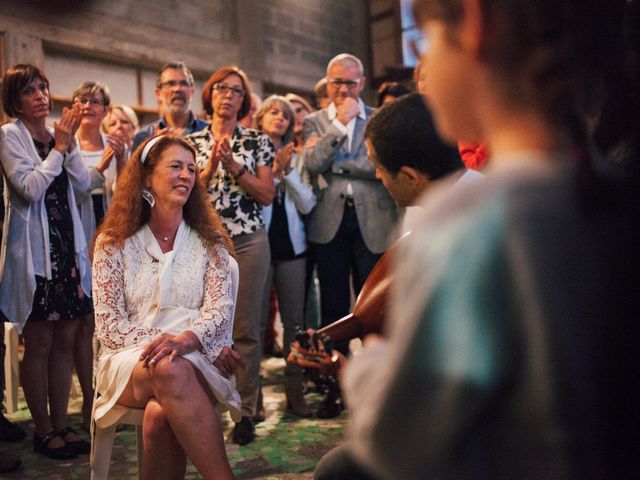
{"points": [[174, 91]]}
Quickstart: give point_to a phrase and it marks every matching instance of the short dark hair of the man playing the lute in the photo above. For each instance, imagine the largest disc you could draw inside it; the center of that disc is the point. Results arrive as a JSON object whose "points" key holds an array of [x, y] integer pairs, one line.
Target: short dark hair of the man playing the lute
{"points": [[403, 134]]}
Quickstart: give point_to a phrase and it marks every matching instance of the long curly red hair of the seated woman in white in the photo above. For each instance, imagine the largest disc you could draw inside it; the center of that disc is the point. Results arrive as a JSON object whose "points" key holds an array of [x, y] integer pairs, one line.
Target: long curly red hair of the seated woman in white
{"points": [[129, 211]]}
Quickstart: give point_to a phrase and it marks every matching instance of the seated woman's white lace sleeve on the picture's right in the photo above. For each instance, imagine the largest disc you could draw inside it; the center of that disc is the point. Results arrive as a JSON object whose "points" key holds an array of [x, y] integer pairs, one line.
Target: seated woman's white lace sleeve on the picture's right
{"points": [[214, 325]]}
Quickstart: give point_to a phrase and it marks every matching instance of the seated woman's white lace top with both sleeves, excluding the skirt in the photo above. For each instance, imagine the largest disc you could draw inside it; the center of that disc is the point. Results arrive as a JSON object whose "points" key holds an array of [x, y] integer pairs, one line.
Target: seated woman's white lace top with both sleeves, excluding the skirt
{"points": [[136, 282]]}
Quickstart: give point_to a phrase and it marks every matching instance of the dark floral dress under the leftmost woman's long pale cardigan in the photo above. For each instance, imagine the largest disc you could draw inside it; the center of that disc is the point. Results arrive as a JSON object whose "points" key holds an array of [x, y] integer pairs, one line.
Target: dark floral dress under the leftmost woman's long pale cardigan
{"points": [[62, 297]]}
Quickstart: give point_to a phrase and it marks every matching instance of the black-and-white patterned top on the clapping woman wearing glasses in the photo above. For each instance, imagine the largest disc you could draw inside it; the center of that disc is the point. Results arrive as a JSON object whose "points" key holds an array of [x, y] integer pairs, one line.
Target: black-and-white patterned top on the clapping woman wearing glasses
{"points": [[239, 212]]}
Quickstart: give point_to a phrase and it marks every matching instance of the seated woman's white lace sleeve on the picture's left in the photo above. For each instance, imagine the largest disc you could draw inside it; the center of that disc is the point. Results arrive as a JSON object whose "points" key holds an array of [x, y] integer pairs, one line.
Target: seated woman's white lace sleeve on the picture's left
{"points": [[114, 327]]}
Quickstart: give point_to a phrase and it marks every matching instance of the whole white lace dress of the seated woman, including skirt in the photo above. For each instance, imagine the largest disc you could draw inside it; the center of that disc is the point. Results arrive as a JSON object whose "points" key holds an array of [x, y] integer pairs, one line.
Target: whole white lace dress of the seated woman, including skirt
{"points": [[140, 293]]}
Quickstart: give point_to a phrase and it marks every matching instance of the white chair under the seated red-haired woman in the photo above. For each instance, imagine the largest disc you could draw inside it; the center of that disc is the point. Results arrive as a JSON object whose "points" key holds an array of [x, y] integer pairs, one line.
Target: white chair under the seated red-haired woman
{"points": [[102, 438]]}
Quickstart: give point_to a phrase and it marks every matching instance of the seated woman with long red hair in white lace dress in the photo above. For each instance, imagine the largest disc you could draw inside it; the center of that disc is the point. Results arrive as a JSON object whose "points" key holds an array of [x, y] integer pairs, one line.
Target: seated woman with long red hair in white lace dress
{"points": [[162, 296]]}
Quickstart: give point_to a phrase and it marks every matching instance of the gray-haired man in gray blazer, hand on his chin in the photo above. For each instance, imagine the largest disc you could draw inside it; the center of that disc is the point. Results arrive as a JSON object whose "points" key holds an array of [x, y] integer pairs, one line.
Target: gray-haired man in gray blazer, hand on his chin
{"points": [[354, 220]]}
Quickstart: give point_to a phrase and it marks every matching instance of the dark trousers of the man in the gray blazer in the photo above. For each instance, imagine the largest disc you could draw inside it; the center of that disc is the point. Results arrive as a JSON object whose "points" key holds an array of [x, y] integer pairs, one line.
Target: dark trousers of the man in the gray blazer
{"points": [[346, 254]]}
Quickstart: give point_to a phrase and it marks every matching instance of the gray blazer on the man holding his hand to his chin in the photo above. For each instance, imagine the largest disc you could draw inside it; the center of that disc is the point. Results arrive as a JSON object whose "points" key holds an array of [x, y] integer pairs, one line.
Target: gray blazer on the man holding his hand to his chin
{"points": [[332, 168]]}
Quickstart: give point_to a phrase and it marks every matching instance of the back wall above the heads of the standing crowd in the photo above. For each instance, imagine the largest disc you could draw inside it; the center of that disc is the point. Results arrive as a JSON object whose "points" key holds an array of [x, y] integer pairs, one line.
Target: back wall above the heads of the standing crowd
{"points": [[278, 42]]}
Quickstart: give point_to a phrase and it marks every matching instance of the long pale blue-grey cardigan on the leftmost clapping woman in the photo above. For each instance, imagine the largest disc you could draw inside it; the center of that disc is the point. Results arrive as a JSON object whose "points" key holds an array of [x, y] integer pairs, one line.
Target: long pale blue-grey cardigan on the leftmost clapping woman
{"points": [[25, 243]]}
